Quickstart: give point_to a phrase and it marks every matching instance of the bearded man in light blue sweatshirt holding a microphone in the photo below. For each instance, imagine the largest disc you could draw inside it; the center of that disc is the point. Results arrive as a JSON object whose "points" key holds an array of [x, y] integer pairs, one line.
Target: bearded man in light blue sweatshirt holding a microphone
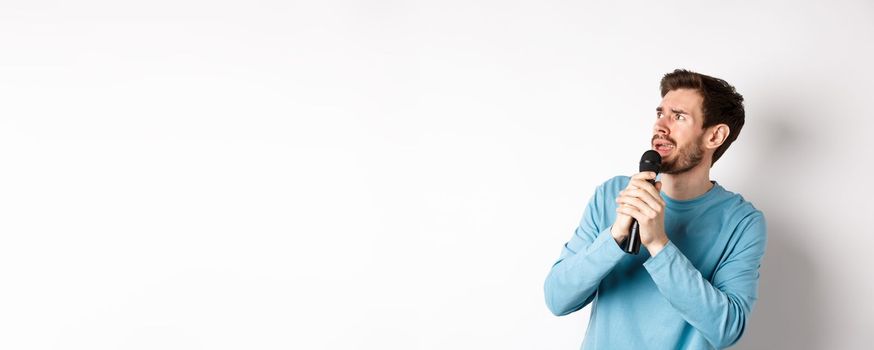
{"points": [[694, 285]]}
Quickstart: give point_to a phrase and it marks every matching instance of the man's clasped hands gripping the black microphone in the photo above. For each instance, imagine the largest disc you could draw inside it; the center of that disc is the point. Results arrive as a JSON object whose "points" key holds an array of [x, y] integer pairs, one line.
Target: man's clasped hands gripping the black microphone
{"points": [[641, 201]]}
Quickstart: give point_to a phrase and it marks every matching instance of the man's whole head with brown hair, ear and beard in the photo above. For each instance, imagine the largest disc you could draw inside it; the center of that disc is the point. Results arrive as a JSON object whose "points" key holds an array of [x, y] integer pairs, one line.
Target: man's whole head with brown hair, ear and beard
{"points": [[699, 115]]}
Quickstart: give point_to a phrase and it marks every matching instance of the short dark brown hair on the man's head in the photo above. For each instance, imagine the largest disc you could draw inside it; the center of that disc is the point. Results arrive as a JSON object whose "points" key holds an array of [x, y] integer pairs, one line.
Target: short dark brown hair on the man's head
{"points": [[722, 104]]}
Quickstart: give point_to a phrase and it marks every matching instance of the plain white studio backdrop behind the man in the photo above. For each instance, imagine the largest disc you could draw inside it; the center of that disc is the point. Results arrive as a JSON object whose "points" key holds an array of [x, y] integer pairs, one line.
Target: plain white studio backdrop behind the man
{"points": [[399, 174]]}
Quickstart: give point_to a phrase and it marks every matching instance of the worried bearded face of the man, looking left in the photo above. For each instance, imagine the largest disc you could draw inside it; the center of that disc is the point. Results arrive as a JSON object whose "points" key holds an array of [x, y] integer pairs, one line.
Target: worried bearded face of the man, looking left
{"points": [[677, 133]]}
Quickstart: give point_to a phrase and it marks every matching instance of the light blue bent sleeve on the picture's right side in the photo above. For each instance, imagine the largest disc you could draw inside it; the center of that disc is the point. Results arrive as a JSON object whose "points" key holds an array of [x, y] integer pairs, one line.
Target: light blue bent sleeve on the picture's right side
{"points": [[718, 309]]}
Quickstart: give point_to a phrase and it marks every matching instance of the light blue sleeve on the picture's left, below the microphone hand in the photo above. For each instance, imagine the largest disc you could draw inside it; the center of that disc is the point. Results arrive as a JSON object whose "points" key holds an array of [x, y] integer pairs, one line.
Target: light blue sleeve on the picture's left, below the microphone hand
{"points": [[584, 261]]}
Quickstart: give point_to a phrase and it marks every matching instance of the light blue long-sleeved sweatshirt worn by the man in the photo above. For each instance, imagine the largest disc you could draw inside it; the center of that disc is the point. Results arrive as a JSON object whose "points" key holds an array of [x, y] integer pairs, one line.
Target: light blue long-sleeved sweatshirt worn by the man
{"points": [[695, 294]]}
